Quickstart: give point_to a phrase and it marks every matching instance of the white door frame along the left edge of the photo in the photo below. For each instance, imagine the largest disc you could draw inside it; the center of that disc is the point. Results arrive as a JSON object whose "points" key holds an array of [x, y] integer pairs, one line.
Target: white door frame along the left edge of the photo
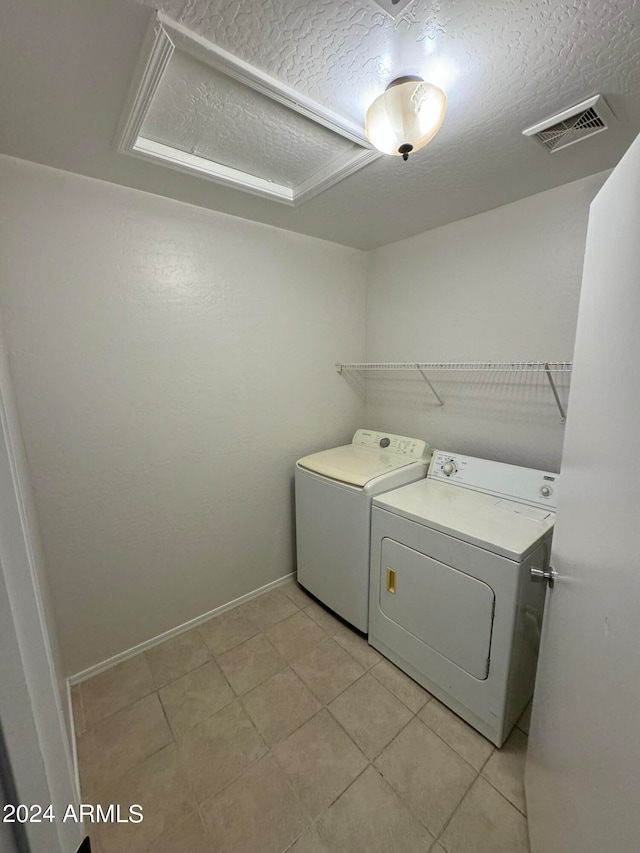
{"points": [[36, 738]]}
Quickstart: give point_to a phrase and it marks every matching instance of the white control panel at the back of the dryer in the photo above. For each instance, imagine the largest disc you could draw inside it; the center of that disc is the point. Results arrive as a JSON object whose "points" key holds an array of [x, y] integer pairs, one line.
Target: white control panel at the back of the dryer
{"points": [[536, 488]]}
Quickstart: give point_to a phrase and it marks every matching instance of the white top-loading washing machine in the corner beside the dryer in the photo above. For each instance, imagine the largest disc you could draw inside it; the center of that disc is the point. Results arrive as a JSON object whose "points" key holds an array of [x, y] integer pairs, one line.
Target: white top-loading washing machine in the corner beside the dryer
{"points": [[333, 493]]}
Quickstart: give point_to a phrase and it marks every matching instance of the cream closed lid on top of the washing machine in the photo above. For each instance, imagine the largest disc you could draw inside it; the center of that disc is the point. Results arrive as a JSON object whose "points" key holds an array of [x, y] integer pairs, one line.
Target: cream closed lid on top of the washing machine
{"points": [[353, 464]]}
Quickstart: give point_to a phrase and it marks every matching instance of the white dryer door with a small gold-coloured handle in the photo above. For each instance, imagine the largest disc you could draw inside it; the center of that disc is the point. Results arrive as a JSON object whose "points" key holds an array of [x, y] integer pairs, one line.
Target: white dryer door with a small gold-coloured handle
{"points": [[446, 609]]}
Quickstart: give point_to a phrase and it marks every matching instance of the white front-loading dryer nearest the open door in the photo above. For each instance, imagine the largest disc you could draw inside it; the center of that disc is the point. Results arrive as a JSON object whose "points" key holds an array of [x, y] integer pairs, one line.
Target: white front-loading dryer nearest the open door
{"points": [[452, 601]]}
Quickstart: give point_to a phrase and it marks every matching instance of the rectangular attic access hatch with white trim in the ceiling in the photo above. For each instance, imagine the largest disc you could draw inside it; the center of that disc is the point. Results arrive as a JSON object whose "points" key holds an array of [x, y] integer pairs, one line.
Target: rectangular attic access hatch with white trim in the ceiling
{"points": [[197, 108]]}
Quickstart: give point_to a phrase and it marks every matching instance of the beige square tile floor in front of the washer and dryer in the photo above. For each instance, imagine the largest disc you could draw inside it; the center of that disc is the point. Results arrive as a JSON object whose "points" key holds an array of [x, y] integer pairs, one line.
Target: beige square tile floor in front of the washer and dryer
{"points": [[274, 727]]}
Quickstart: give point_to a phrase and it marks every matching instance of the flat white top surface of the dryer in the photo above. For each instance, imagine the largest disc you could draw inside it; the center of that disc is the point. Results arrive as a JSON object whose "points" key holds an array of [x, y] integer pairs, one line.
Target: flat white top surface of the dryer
{"points": [[508, 528]]}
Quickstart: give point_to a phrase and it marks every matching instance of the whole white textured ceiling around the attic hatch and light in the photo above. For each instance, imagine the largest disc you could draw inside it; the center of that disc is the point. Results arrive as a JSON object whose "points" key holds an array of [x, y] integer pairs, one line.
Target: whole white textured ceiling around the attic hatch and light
{"points": [[65, 68]]}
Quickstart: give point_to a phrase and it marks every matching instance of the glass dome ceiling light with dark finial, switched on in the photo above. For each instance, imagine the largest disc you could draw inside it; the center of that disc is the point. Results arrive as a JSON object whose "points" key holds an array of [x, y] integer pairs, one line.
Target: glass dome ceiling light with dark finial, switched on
{"points": [[406, 116]]}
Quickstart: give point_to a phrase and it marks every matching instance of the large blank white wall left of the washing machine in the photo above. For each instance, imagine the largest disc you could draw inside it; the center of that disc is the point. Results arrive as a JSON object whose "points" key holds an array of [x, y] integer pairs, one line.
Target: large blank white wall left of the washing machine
{"points": [[170, 364]]}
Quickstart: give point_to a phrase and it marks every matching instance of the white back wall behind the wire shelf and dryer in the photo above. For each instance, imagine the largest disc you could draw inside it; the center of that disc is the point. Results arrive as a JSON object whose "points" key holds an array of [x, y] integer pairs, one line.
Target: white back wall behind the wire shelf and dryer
{"points": [[503, 286]]}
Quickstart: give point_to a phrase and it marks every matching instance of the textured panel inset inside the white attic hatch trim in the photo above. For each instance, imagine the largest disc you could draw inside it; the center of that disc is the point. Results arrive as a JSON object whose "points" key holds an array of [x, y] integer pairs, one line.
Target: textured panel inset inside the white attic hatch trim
{"points": [[202, 111]]}
